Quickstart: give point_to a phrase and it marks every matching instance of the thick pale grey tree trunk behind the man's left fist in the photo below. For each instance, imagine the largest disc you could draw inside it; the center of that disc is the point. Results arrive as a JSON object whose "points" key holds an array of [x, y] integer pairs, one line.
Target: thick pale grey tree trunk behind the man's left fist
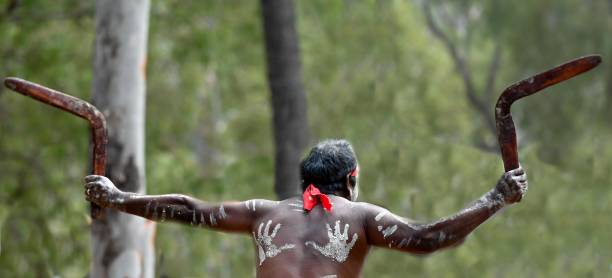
{"points": [[122, 244]]}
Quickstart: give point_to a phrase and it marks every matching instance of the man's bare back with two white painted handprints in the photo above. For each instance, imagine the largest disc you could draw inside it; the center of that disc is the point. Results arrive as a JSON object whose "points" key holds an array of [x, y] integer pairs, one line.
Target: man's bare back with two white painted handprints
{"points": [[290, 242]]}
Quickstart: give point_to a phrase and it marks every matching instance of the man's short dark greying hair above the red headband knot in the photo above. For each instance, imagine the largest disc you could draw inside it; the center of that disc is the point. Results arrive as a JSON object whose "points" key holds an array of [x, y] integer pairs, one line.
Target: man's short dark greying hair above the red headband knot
{"points": [[327, 166]]}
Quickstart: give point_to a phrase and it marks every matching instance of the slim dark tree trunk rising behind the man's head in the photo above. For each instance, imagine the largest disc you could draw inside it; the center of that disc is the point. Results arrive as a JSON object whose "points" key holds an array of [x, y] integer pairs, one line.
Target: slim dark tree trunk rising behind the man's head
{"points": [[287, 93]]}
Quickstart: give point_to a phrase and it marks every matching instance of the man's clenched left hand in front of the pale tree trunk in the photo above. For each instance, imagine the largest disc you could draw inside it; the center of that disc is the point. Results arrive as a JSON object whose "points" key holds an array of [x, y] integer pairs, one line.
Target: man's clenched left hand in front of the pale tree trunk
{"points": [[102, 191]]}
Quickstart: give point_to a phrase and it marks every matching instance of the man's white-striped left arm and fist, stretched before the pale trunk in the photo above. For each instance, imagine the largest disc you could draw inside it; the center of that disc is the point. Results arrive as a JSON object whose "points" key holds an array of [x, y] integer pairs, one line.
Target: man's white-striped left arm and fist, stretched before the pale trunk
{"points": [[227, 216]]}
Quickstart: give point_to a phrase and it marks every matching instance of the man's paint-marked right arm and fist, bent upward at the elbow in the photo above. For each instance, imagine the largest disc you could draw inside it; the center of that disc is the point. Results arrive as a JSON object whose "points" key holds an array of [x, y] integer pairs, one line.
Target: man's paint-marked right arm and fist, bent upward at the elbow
{"points": [[386, 229]]}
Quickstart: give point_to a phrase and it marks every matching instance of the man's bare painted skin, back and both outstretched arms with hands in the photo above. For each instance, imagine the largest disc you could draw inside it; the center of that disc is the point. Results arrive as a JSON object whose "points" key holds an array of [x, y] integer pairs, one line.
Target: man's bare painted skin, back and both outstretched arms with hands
{"points": [[285, 253]]}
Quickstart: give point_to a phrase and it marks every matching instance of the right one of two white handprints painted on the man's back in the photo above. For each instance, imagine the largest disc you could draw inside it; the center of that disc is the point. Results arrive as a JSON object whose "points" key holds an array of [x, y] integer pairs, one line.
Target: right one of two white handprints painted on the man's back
{"points": [[337, 248]]}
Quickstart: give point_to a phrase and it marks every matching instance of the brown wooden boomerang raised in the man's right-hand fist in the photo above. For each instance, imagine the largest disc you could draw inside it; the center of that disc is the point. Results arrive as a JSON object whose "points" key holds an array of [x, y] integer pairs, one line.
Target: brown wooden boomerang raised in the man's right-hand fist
{"points": [[506, 133]]}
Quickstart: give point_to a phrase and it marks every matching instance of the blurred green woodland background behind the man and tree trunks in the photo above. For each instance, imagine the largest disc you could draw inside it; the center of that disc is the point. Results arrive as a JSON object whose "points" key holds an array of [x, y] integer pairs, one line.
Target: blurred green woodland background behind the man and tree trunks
{"points": [[411, 84]]}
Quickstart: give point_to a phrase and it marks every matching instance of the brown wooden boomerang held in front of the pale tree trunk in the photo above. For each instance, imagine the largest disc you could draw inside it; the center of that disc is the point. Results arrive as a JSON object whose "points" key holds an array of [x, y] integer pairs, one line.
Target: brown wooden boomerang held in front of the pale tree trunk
{"points": [[77, 107]]}
